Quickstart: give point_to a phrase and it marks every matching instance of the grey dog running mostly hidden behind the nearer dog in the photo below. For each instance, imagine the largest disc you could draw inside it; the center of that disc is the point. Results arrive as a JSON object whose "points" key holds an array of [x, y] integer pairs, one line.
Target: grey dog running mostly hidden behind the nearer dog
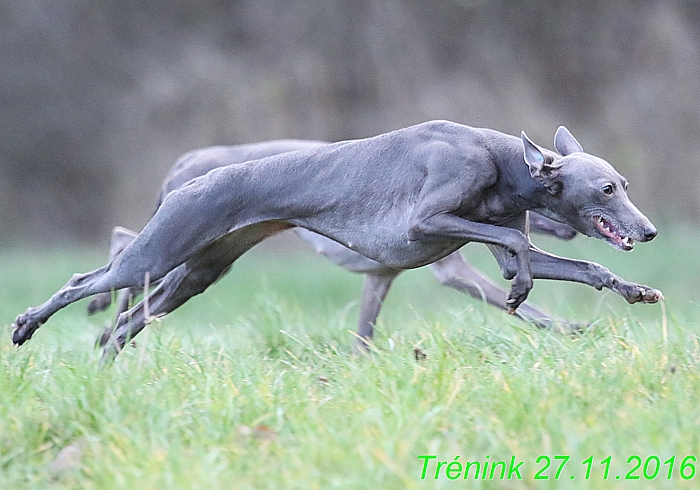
{"points": [[450, 271]]}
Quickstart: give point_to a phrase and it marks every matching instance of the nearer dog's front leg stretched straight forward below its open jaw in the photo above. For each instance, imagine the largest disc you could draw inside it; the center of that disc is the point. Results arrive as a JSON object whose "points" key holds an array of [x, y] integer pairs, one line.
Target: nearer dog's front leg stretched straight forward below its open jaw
{"points": [[548, 266]]}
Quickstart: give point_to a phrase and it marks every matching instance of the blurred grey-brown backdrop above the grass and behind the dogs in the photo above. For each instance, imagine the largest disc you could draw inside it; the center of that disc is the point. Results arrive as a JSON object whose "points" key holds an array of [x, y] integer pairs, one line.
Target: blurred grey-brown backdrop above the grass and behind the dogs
{"points": [[98, 99]]}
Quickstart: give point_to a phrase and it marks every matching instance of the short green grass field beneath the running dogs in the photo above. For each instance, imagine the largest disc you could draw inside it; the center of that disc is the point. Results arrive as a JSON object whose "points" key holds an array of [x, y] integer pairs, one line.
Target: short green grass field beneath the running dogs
{"points": [[251, 385]]}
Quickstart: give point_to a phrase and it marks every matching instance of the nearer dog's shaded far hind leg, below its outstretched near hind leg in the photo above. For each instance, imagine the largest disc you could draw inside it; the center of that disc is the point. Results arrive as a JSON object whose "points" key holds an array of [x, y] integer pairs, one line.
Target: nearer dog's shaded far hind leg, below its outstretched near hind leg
{"points": [[185, 281]]}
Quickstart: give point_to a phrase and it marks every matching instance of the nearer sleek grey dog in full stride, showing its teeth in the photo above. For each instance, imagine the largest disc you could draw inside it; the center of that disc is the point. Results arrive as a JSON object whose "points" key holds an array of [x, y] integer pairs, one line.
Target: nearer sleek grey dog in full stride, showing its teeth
{"points": [[404, 199]]}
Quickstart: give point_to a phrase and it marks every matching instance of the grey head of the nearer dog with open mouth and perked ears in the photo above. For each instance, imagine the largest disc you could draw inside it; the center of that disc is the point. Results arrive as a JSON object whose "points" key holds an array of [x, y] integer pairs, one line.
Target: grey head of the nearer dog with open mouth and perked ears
{"points": [[586, 193]]}
